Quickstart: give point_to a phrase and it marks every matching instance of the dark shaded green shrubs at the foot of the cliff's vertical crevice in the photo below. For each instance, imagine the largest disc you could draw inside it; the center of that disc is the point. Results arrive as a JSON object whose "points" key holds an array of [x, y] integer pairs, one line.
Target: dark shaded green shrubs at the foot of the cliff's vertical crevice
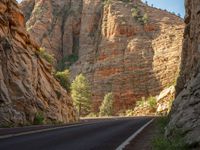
{"points": [[66, 62]]}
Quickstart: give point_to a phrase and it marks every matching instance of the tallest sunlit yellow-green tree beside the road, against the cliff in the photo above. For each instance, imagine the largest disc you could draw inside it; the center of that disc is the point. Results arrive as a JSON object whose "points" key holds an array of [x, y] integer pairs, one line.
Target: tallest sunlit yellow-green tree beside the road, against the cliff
{"points": [[81, 94]]}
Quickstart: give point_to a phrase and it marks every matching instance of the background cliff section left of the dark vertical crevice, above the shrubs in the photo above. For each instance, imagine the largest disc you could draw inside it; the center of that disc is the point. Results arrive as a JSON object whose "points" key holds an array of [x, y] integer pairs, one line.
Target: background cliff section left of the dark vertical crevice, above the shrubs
{"points": [[54, 23]]}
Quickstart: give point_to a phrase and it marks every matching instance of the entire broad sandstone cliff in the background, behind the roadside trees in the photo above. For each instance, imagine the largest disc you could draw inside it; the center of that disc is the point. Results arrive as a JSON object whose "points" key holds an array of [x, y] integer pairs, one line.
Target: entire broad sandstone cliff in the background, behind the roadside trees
{"points": [[117, 51]]}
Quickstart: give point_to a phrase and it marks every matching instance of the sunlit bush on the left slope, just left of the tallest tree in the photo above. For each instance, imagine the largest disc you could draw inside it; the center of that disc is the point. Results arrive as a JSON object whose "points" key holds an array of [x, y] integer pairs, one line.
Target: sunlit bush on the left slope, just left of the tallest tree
{"points": [[63, 78]]}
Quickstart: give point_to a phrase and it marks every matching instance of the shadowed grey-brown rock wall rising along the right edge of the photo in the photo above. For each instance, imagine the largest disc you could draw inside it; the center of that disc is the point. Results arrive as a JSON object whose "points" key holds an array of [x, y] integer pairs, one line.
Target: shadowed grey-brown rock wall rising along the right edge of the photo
{"points": [[185, 111]]}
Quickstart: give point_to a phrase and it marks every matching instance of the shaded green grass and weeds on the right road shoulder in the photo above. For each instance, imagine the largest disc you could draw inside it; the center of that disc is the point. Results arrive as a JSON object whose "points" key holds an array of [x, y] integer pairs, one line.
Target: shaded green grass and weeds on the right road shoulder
{"points": [[160, 142]]}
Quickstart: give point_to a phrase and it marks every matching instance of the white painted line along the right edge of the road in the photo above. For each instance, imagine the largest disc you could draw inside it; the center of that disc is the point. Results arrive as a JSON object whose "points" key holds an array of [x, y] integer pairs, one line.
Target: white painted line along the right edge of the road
{"points": [[126, 142]]}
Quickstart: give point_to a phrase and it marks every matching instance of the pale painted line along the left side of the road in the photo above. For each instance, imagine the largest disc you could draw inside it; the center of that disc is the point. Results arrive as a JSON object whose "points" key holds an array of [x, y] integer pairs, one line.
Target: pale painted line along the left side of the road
{"points": [[42, 130]]}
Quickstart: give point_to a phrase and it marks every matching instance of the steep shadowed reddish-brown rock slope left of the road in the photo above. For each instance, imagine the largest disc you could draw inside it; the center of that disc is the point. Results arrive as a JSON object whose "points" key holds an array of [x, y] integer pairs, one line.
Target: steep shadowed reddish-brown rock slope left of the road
{"points": [[27, 86]]}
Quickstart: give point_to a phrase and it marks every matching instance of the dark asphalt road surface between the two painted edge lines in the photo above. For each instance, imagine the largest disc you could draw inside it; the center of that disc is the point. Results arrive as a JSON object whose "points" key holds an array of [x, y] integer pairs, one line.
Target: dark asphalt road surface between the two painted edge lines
{"points": [[102, 135]]}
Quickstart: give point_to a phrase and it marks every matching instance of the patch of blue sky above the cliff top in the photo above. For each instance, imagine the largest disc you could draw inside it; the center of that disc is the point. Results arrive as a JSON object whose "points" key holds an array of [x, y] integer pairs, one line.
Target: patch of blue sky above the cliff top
{"points": [[176, 6]]}
